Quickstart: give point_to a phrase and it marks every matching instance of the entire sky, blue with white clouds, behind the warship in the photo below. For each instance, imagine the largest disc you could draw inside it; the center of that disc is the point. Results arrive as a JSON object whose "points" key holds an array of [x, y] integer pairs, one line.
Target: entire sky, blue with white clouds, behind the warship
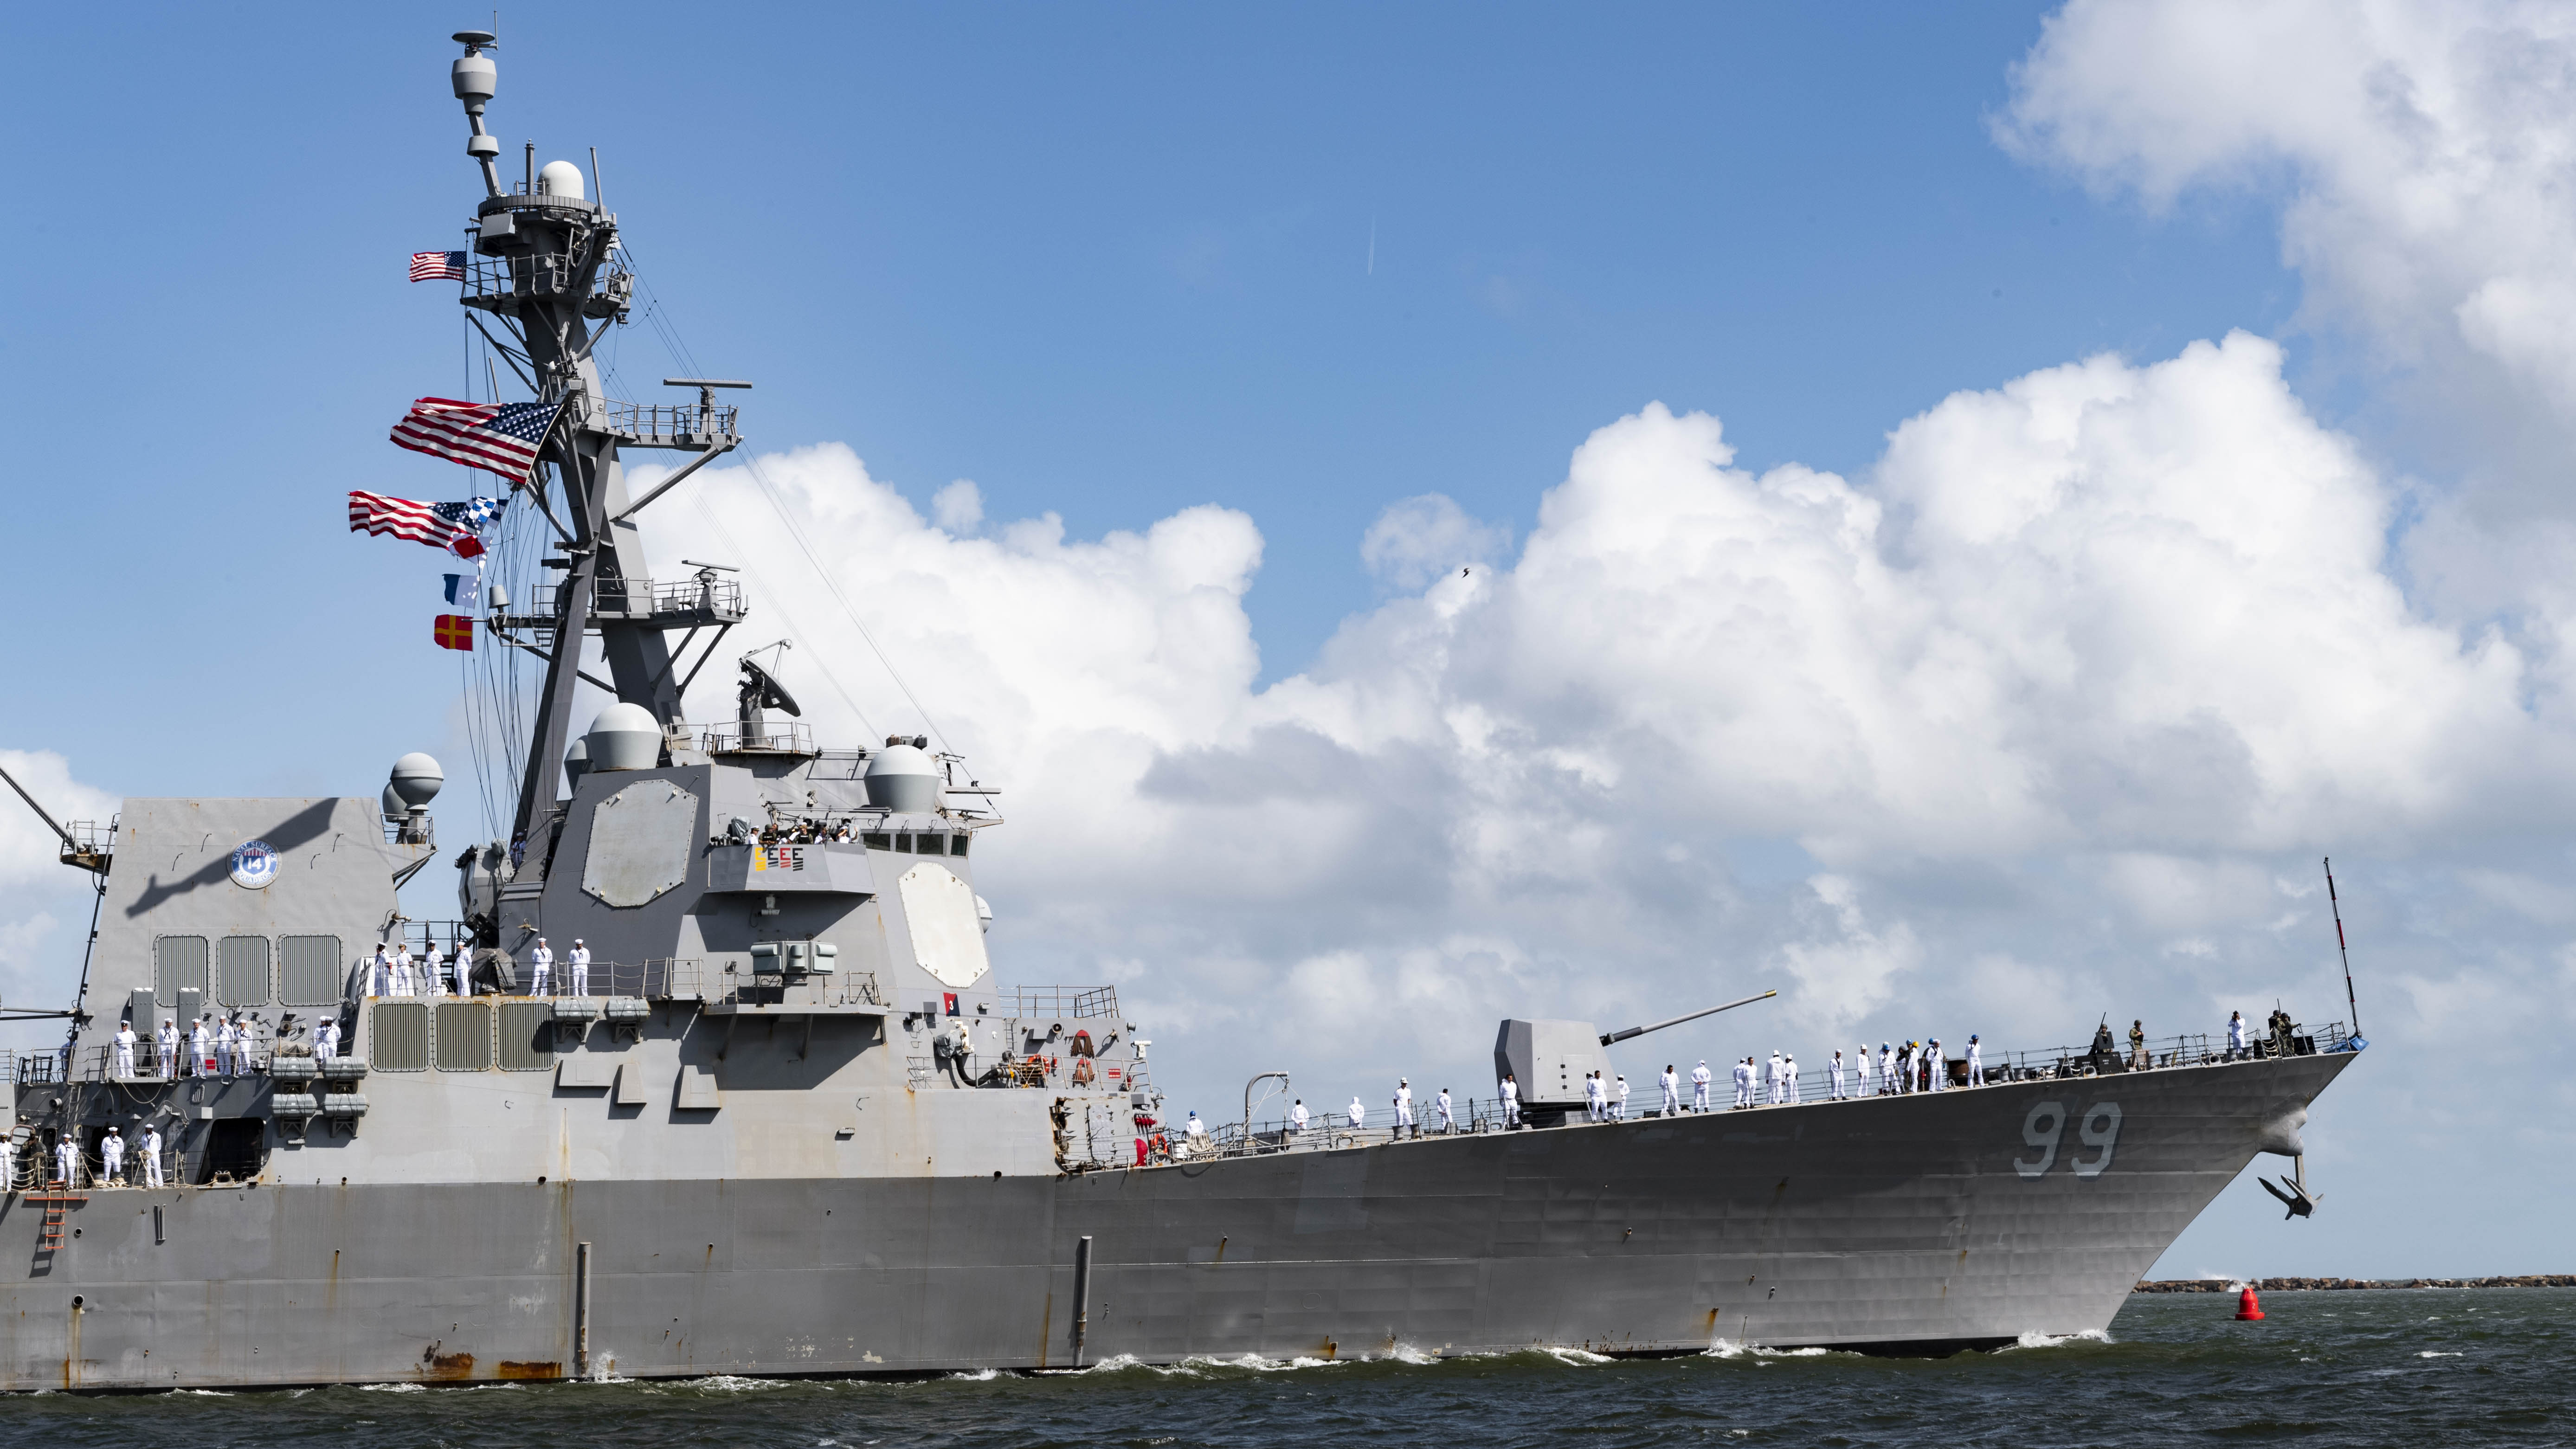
{"points": [[2044, 705]]}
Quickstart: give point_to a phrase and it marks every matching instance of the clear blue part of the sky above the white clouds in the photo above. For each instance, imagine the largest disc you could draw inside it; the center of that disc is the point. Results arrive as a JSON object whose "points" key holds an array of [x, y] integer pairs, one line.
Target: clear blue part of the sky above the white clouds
{"points": [[1101, 264]]}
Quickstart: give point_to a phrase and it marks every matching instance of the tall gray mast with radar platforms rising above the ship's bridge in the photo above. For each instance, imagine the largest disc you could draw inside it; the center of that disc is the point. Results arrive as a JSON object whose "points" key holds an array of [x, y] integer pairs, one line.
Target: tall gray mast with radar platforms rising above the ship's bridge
{"points": [[547, 269]]}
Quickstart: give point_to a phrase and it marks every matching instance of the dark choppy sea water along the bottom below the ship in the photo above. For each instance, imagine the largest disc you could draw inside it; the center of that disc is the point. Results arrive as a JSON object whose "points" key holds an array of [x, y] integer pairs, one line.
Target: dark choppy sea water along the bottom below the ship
{"points": [[2420, 1368]]}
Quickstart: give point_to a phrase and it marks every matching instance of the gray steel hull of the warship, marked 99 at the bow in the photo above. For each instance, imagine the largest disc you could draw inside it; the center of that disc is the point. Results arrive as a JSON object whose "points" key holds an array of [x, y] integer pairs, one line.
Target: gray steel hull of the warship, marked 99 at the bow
{"points": [[1892, 1223]]}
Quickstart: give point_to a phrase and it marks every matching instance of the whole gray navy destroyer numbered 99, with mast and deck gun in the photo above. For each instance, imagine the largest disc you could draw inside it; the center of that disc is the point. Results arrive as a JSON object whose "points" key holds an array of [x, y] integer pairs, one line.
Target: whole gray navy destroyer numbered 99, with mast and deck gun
{"points": [[712, 1071]]}
